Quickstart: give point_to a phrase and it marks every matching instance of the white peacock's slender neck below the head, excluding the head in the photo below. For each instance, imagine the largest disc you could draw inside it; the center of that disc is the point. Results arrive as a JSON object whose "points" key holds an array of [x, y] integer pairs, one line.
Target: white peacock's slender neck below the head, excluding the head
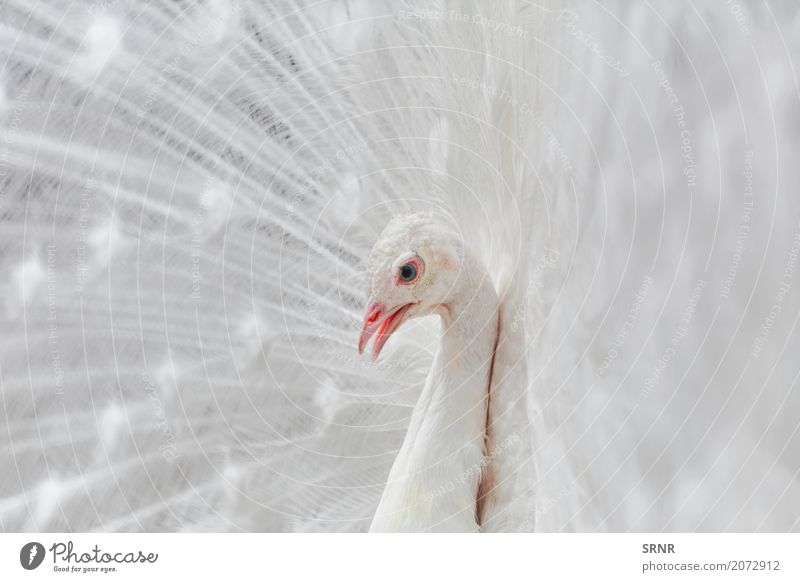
{"points": [[433, 484]]}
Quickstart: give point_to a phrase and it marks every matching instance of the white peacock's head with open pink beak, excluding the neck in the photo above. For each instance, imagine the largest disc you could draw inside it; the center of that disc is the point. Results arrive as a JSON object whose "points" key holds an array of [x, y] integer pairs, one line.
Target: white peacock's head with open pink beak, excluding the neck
{"points": [[413, 271]]}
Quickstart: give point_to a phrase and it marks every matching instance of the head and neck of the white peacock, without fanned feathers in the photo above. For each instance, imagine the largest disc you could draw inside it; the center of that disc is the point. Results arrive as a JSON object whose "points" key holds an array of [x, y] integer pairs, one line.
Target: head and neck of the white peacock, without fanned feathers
{"points": [[418, 268]]}
